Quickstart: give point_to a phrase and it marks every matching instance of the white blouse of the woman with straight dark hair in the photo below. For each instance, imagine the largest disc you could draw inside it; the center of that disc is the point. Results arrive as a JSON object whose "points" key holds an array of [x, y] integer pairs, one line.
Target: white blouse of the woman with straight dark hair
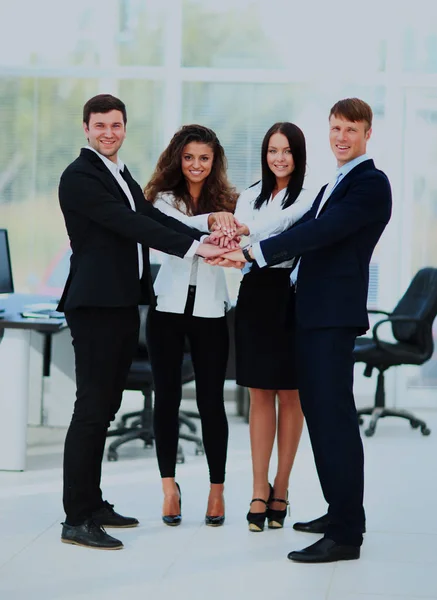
{"points": [[270, 219]]}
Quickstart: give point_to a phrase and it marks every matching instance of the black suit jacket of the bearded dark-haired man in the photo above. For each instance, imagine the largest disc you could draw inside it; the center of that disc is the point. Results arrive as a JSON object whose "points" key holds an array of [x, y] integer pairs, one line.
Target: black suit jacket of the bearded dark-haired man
{"points": [[104, 232]]}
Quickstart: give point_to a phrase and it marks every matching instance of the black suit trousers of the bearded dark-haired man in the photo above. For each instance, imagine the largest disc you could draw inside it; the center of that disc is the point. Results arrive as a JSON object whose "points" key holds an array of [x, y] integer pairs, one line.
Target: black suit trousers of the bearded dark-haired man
{"points": [[104, 341]]}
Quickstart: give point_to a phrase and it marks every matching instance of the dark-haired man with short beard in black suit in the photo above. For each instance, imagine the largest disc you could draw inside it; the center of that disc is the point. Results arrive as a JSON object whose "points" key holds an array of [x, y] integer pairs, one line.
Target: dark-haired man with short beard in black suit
{"points": [[111, 227]]}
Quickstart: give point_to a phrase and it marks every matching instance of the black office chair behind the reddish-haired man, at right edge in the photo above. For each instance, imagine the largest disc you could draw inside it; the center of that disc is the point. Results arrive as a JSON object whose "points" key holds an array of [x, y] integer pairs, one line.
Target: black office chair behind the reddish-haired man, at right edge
{"points": [[411, 323]]}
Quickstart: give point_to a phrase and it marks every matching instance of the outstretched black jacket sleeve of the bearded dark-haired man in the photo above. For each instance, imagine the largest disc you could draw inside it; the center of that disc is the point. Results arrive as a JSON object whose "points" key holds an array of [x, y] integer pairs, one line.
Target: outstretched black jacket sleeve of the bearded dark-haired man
{"points": [[82, 193]]}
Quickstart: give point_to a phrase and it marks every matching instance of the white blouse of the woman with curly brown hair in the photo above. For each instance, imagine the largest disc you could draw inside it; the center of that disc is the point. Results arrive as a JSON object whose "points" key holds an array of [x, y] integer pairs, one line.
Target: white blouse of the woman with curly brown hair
{"points": [[176, 274]]}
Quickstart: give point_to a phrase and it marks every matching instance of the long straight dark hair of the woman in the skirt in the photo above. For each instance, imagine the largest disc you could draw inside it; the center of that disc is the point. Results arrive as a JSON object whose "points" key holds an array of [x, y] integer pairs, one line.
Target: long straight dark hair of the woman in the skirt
{"points": [[296, 141]]}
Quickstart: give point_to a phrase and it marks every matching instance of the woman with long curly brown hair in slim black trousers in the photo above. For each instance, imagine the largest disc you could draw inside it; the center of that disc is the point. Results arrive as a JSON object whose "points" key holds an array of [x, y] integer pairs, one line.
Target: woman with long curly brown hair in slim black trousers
{"points": [[190, 184]]}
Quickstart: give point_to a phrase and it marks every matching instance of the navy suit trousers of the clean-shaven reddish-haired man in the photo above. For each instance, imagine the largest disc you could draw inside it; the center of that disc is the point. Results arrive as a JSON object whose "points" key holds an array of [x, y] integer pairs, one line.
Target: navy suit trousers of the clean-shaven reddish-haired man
{"points": [[325, 372]]}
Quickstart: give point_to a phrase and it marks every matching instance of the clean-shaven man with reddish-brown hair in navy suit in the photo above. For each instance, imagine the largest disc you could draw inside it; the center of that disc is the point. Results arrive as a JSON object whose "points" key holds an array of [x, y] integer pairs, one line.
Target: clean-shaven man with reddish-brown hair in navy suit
{"points": [[336, 239]]}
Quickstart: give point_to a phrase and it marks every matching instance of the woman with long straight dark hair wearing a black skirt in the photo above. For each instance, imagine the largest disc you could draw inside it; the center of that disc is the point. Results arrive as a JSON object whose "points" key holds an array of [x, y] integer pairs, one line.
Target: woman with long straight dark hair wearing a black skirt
{"points": [[264, 322]]}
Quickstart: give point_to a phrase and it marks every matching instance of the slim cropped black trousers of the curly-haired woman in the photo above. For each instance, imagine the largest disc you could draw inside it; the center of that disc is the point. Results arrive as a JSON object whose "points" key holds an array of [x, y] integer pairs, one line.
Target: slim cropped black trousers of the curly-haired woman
{"points": [[209, 345]]}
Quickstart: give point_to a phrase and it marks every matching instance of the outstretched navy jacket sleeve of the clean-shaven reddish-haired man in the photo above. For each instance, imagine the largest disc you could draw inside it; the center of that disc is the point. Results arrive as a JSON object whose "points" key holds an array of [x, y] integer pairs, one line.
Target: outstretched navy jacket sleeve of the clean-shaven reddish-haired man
{"points": [[368, 200]]}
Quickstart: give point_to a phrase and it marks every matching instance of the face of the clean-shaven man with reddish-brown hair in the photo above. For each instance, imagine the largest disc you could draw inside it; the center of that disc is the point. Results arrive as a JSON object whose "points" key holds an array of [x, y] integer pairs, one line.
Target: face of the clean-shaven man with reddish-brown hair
{"points": [[348, 139]]}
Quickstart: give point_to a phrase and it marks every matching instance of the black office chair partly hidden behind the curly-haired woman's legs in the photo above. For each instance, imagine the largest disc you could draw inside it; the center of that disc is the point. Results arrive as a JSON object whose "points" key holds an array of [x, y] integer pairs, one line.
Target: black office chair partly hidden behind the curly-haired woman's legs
{"points": [[139, 424]]}
